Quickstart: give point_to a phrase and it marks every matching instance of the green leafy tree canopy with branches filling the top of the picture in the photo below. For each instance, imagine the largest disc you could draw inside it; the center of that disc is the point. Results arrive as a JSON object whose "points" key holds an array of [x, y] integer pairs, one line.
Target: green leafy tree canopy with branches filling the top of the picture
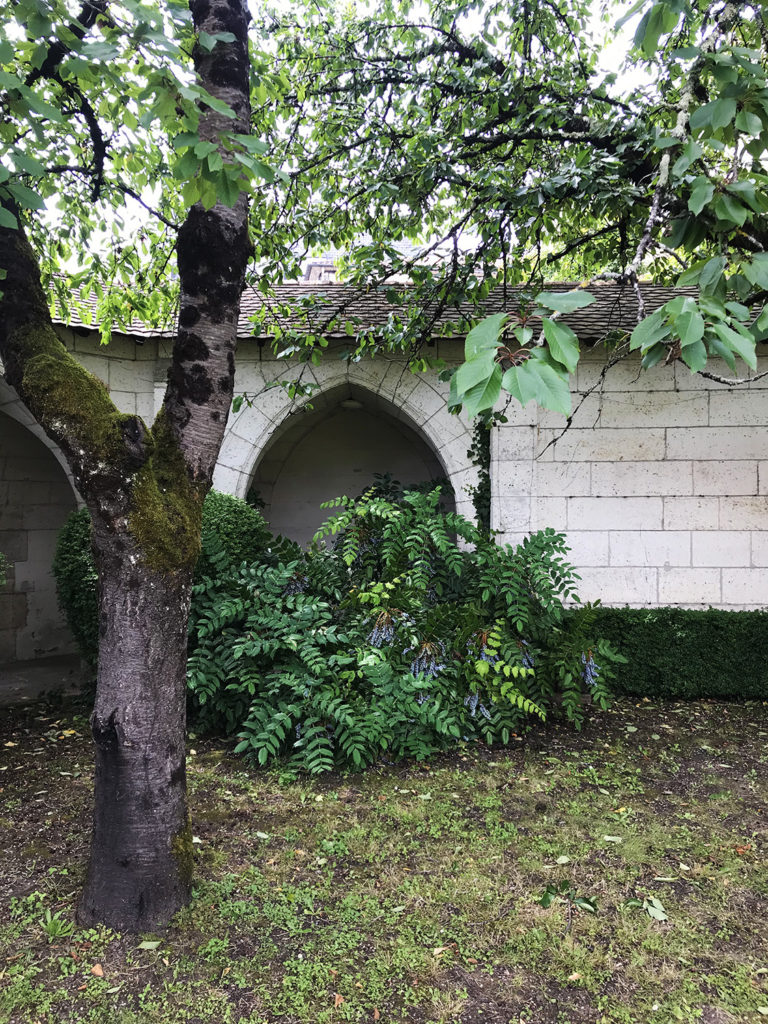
{"points": [[467, 147]]}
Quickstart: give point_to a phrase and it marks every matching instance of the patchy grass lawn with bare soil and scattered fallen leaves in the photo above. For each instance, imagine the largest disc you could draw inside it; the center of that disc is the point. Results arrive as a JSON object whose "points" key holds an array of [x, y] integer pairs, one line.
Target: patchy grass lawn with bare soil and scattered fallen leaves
{"points": [[412, 893]]}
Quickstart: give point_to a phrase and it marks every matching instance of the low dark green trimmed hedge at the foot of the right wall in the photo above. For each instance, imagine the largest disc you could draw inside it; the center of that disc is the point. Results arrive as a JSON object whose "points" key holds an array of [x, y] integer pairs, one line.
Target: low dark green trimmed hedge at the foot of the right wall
{"points": [[688, 656]]}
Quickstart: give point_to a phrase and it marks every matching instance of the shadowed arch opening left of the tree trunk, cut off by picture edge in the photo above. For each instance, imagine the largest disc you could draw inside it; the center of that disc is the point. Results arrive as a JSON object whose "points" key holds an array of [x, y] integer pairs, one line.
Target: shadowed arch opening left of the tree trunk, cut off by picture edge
{"points": [[36, 497]]}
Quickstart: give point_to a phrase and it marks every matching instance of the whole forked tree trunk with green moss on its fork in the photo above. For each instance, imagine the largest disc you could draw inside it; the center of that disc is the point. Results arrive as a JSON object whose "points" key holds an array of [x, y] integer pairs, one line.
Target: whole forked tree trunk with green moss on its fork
{"points": [[145, 489]]}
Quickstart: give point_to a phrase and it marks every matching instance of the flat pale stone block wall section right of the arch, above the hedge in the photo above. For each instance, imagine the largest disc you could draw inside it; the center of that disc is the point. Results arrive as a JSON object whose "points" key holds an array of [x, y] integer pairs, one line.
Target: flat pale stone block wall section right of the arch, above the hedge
{"points": [[661, 485]]}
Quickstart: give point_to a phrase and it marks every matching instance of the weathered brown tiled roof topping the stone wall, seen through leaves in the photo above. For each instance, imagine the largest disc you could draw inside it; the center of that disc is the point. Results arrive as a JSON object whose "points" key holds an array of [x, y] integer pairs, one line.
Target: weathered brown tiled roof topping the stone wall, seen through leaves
{"points": [[316, 307]]}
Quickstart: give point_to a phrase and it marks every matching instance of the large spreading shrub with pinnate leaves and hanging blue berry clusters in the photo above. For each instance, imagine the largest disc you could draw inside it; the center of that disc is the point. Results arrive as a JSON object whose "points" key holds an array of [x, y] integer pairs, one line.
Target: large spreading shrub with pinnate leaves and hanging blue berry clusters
{"points": [[403, 630]]}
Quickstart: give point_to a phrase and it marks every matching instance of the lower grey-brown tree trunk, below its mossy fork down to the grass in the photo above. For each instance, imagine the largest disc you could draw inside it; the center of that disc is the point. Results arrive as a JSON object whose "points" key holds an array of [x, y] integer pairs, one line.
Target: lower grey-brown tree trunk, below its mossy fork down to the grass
{"points": [[141, 865]]}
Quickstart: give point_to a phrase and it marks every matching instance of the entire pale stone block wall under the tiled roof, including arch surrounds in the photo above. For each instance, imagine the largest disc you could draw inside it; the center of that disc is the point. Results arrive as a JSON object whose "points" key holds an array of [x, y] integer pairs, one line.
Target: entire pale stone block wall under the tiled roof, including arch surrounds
{"points": [[661, 483]]}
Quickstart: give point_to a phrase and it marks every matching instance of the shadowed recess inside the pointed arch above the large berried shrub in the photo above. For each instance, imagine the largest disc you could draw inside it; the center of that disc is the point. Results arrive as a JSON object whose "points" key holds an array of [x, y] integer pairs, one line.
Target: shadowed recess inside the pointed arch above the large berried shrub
{"points": [[333, 452]]}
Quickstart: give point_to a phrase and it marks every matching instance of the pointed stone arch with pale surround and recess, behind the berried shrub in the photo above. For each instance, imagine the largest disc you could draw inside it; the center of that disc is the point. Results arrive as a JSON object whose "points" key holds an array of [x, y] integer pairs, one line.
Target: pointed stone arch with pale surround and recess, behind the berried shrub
{"points": [[300, 454]]}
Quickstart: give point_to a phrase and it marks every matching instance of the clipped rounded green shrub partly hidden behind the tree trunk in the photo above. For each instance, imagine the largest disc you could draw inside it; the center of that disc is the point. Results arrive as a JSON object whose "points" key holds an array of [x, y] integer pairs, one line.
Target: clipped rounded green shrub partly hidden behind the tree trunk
{"points": [[240, 530]]}
